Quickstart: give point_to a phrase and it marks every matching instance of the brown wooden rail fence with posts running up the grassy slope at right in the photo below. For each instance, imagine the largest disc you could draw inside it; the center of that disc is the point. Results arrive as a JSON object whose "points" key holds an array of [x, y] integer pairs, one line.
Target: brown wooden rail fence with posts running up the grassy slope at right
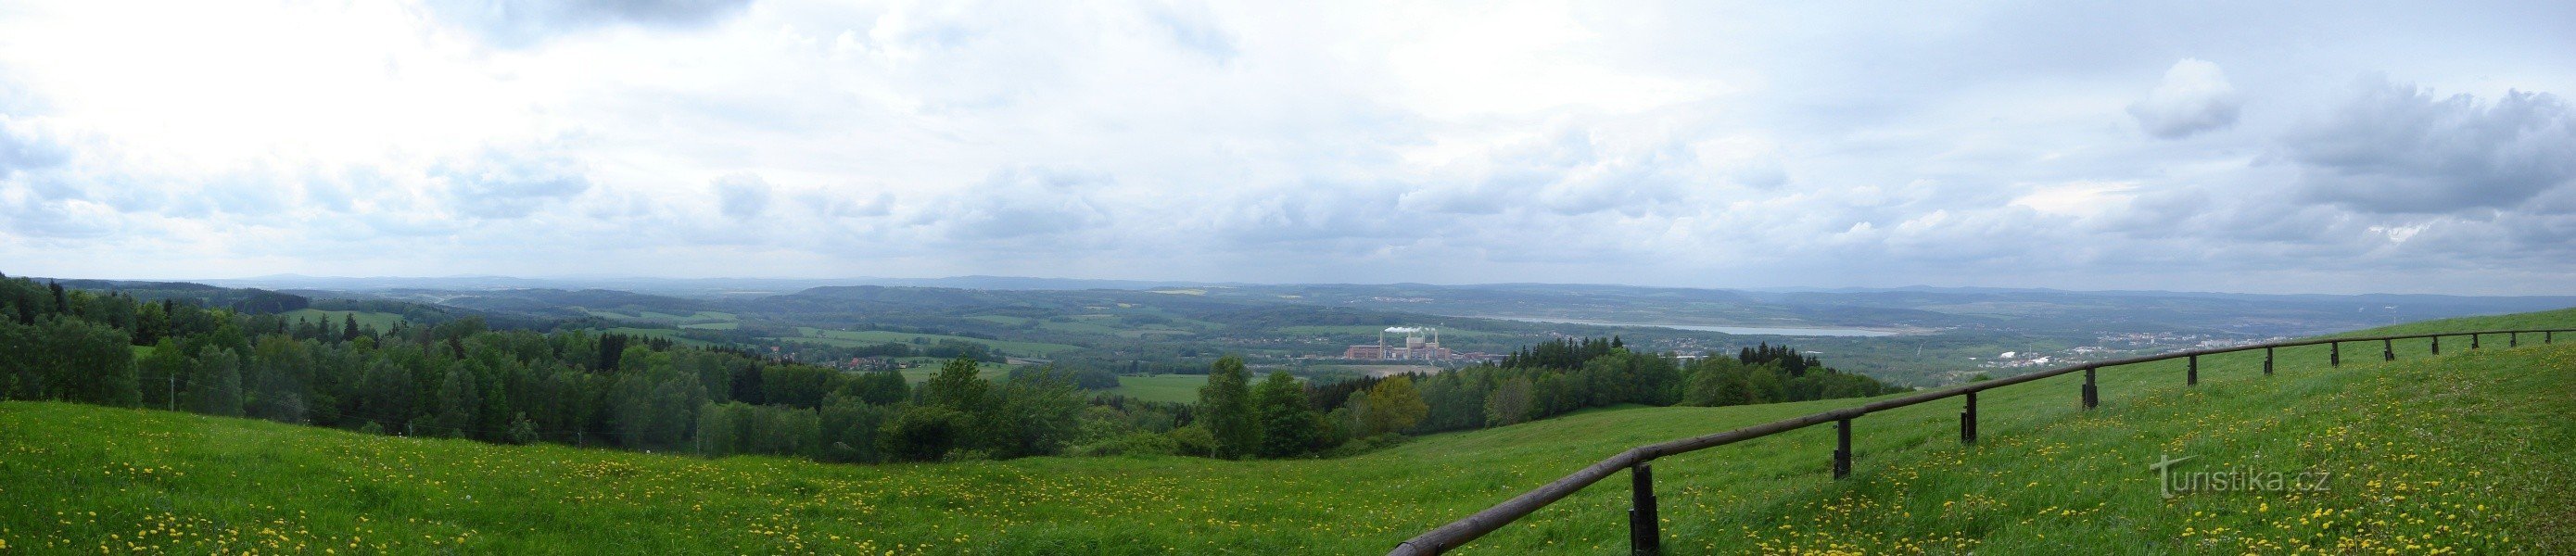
{"points": [[1640, 462]]}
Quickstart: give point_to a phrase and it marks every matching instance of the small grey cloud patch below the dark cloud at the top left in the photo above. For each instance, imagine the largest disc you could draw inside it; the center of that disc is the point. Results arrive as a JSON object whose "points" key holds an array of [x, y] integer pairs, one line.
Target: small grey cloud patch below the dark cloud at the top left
{"points": [[509, 184]]}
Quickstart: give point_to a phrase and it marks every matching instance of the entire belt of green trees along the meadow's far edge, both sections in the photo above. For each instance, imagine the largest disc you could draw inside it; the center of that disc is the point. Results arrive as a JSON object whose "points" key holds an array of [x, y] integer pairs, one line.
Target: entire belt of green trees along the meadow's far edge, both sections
{"points": [[516, 385]]}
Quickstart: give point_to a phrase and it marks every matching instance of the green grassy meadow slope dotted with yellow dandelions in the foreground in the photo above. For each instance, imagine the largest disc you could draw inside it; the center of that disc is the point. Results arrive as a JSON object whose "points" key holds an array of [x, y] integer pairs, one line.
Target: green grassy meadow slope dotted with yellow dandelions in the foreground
{"points": [[2454, 452]]}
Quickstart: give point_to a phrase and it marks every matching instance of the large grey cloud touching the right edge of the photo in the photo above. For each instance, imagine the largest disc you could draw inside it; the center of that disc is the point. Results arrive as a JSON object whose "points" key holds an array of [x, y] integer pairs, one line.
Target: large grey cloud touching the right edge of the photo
{"points": [[2400, 151]]}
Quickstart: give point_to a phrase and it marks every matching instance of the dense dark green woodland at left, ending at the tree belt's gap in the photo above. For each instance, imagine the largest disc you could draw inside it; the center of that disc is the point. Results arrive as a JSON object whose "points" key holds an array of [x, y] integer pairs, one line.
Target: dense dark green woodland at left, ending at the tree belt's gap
{"points": [[462, 380]]}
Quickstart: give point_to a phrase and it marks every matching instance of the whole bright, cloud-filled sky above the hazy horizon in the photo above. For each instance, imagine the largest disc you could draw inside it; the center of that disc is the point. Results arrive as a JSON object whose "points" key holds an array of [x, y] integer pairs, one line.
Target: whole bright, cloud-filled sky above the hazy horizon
{"points": [[2276, 148]]}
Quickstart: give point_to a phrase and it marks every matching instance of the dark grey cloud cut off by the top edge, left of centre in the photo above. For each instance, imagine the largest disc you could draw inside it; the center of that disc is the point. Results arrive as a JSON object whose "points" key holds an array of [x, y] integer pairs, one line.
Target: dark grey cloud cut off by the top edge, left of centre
{"points": [[516, 24]]}
